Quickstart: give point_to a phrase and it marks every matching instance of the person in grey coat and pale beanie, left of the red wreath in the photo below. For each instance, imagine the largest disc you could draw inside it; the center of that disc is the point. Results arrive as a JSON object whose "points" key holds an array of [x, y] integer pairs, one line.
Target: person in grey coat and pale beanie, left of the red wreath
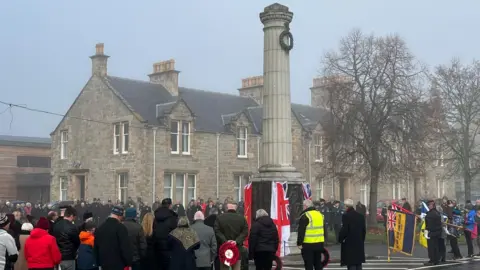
{"points": [[208, 244]]}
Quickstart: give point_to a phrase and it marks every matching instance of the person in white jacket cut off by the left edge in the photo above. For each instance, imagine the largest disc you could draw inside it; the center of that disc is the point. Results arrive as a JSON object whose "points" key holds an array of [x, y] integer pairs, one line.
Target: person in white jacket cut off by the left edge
{"points": [[8, 248]]}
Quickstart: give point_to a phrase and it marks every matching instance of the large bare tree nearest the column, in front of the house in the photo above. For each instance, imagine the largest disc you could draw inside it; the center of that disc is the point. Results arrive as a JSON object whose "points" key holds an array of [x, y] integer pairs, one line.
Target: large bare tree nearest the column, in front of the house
{"points": [[375, 103]]}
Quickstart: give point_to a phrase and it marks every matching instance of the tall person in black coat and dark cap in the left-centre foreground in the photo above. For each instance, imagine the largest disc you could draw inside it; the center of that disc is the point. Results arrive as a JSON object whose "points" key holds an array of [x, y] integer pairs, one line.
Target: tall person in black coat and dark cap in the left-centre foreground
{"points": [[166, 220]]}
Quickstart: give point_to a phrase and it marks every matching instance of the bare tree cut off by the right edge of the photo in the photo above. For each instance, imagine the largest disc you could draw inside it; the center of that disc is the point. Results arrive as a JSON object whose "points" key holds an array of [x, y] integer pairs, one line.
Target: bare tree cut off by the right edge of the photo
{"points": [[457, 90]]}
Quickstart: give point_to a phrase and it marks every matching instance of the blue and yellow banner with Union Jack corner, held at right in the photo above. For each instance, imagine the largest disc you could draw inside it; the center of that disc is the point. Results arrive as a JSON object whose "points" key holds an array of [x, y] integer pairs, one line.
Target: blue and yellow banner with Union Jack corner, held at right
{"points": [[401, 231]]}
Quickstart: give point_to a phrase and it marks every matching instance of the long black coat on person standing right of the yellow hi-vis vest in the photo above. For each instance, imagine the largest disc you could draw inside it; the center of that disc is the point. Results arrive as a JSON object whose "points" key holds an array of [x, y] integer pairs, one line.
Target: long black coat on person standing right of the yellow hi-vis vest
{"points": [[352, 238]]}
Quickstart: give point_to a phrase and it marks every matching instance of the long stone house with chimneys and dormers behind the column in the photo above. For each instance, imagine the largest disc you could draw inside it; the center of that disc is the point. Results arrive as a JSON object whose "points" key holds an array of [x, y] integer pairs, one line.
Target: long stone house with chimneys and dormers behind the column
{"points": [[129, 138]]}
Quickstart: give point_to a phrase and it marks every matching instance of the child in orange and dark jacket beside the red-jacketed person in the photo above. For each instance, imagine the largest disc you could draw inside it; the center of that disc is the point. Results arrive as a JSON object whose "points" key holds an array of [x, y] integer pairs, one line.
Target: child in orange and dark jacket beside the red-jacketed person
{"points": [[86, 258]]}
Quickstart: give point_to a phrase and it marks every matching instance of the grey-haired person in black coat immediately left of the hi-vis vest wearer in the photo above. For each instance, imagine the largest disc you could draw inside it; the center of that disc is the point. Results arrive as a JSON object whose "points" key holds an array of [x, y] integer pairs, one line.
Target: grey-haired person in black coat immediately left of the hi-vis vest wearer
{"points": [[263, 241]]}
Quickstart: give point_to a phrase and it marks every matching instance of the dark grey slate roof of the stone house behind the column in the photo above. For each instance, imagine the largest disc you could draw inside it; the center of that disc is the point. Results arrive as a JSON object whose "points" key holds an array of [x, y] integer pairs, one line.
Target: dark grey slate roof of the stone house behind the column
{"points": [[212, 110]]}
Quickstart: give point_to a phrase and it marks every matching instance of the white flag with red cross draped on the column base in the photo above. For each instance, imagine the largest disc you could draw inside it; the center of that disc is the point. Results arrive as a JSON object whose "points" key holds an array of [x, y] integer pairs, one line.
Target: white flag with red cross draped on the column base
{"points": [[280, 214]]}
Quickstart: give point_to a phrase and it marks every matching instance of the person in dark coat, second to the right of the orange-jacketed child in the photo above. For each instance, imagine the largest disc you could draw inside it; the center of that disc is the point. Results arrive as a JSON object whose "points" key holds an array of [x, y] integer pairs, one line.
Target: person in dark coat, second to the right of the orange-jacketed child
{"points": [[136, 236]]}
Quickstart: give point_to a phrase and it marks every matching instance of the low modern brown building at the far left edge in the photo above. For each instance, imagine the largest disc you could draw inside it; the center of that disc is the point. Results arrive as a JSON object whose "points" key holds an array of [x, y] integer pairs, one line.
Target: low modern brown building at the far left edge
{"points": [[25, 168]]}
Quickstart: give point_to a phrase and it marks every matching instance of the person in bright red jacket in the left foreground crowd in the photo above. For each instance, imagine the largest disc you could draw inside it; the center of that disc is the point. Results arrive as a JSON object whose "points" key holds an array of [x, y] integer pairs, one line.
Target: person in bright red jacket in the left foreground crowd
{"points": [[41, 250]]}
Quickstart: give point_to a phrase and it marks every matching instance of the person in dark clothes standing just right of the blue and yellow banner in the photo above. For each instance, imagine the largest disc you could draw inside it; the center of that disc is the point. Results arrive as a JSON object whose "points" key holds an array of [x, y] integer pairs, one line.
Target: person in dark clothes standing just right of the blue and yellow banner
{"points": [[433, 228]]}
